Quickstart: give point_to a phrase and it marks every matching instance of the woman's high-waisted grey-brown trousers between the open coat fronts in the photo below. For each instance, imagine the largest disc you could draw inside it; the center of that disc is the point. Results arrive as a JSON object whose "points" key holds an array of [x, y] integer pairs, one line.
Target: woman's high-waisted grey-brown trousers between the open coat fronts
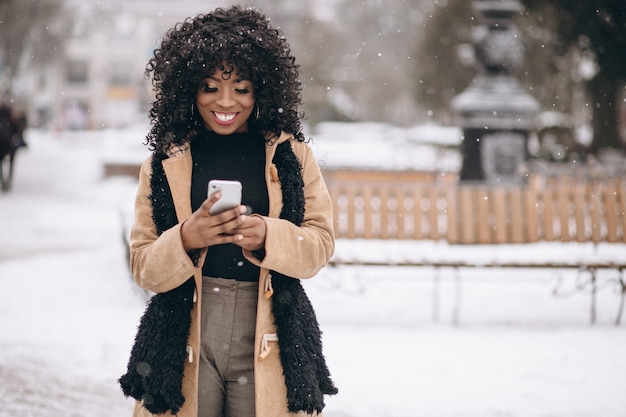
{"points": [[226, 376]]}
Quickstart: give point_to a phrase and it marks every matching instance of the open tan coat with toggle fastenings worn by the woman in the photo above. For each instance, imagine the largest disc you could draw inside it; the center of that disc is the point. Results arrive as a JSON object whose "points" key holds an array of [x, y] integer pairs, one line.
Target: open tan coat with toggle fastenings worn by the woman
{"points": [[159, 263]]}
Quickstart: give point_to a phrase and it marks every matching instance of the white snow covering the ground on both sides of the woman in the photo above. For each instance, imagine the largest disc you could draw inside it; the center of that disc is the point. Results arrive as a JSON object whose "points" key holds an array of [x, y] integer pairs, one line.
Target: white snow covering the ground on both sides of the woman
{"points": [[521, 345]]}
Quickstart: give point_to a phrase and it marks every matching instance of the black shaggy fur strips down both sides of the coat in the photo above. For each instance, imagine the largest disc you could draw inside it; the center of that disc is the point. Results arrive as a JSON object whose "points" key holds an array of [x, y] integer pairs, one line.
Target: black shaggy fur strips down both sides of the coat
{"points": [[165, 335]]}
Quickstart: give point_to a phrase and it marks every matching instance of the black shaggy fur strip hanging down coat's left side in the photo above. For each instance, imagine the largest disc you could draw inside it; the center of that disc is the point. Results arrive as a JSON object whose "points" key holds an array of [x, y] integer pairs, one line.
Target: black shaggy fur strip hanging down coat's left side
{"points": [[154, 374]]}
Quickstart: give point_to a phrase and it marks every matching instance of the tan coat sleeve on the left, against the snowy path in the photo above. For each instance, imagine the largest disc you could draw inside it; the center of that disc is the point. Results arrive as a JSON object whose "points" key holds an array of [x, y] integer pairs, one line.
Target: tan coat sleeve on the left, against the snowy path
{"points": [[158, 263]]}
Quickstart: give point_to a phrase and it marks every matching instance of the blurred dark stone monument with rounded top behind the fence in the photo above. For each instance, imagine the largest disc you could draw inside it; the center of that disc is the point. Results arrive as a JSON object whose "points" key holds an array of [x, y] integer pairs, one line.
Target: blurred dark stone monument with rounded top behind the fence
{"points": [[494, 112]]}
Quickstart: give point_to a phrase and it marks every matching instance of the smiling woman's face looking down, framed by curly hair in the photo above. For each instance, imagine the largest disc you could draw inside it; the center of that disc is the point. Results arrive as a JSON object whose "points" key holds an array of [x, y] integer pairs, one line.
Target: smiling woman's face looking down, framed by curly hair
{"points": [[225, 101]]}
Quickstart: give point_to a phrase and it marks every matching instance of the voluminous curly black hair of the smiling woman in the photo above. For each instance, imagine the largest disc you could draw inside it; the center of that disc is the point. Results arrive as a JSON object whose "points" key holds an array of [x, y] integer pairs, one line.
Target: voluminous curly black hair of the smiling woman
{"points": [[193, 49]]}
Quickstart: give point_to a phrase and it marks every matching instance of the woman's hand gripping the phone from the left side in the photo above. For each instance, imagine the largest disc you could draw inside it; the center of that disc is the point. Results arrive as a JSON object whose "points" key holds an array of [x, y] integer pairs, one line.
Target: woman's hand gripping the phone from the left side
{"points": [[202, 229]]}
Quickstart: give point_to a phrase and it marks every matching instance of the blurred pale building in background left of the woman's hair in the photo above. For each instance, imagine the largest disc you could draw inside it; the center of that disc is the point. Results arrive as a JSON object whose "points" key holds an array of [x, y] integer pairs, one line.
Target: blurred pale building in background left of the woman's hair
{"points": [[99, 80]]}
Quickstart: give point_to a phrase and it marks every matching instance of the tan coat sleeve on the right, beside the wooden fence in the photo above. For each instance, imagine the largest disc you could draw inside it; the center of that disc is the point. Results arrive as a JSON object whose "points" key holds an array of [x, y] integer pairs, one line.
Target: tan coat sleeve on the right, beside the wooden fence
{"points": [[300, 252]]}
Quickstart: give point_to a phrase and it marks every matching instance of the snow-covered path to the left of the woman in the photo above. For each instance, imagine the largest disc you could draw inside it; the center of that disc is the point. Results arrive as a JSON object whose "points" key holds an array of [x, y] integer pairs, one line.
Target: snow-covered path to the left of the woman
{"points": [[67, 311]]}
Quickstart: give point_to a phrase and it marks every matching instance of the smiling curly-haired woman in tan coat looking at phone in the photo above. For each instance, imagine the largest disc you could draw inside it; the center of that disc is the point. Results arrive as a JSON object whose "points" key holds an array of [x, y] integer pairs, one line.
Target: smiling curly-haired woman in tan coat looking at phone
{"points": [[230, 331]]}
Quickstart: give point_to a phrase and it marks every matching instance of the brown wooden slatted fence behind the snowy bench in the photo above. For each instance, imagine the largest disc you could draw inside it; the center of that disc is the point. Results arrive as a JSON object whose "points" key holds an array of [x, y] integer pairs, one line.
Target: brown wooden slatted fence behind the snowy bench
{"points": [[387, 205]]}
